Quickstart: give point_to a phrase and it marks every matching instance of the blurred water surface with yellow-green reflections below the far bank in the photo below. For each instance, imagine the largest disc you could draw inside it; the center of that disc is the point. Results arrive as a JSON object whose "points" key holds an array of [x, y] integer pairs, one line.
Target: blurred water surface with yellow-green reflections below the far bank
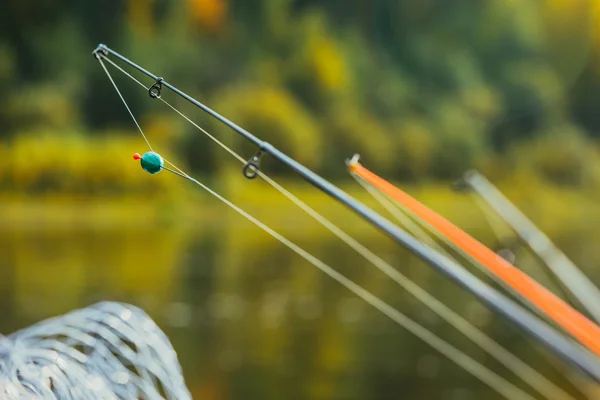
{"points": [[248, 318]]}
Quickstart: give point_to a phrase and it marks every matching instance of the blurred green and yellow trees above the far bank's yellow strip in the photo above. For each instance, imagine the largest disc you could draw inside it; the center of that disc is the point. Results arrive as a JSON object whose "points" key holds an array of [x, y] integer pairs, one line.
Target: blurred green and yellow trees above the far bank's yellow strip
{"points": [[422, 90]]}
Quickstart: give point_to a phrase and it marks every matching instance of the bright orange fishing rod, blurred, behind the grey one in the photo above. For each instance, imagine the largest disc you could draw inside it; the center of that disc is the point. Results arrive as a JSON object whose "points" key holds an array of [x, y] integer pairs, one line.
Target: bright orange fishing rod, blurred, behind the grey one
{"points": [[564, 315]]}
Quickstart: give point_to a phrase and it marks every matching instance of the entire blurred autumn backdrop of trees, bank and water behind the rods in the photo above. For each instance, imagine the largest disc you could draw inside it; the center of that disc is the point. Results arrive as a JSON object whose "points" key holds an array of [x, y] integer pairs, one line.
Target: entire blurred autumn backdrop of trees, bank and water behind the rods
{"points": [[423, 89]]}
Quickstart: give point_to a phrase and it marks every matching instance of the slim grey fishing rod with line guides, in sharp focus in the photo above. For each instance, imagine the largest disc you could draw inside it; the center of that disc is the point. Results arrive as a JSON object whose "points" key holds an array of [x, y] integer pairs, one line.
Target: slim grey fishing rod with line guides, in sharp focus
{"points": [[558, 343]]}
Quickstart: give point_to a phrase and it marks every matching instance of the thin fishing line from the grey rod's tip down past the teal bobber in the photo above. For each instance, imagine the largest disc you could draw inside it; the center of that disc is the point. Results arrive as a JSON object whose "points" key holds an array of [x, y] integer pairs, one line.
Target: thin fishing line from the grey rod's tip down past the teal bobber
{"points": [[487, 376]]}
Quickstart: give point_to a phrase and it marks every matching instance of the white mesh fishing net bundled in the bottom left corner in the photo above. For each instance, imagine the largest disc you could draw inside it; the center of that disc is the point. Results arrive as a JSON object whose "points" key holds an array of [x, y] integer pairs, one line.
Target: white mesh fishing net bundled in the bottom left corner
{"points": [[106, 351]]}
